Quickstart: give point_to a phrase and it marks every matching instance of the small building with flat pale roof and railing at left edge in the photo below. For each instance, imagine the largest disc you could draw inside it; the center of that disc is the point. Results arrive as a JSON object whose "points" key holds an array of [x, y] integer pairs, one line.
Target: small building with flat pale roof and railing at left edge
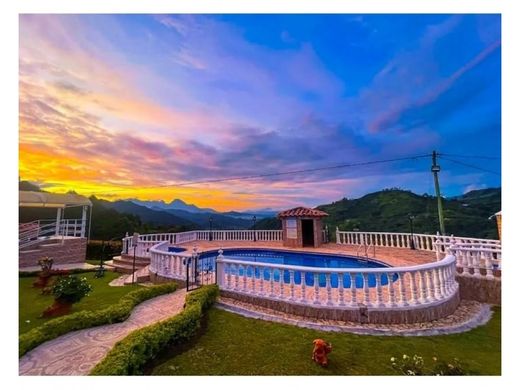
{"points": [[65, 240]]}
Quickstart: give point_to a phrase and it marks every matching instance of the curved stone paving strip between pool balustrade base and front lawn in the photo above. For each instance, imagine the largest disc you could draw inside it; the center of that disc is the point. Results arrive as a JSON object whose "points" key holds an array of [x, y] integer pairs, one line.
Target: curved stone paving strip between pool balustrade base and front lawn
{"points": [[468, 315]]}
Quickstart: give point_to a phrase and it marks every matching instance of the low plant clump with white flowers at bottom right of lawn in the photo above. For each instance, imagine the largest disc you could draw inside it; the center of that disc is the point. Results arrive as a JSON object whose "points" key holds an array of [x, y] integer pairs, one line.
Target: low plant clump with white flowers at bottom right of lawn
{"points": [[415, 366]]}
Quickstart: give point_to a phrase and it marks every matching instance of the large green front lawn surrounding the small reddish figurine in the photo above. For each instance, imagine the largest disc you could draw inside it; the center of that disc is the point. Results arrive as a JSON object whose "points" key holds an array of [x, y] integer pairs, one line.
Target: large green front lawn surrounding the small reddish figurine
{"points": [[234, 345]]}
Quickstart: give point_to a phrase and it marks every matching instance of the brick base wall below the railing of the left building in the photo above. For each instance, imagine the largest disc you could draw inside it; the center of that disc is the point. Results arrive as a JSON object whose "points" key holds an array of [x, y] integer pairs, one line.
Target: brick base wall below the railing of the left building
{"points": [[73, 250]]}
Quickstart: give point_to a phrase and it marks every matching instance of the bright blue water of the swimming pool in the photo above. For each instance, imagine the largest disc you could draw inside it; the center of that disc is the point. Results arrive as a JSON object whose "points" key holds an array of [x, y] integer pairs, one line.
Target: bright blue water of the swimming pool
{"points": [[207, 262]]}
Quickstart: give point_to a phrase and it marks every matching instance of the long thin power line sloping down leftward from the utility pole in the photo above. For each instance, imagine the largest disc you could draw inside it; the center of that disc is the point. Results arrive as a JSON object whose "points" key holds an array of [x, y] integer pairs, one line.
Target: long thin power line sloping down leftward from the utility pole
{"points": [[346, 165]]}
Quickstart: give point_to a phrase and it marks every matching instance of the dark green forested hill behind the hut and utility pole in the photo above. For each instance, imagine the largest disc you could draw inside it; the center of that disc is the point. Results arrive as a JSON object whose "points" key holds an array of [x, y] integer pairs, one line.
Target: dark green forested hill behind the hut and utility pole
{"points": [[388, 211]]}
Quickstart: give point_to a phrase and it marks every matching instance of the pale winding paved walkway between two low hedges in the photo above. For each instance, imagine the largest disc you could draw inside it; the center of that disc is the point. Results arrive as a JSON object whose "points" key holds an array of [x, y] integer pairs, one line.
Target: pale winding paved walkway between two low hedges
{"points": [[76, 353]]}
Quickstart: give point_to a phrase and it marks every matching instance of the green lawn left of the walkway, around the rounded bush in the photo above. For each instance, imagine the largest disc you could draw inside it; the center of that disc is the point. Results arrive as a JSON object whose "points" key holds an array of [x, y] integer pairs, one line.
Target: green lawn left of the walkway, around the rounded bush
{"points": [[32, 303]]}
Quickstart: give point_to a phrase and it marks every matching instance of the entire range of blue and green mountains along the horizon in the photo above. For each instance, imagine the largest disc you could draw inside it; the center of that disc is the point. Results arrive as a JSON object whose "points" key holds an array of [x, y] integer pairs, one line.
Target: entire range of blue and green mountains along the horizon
{"points": [[386, 210]]}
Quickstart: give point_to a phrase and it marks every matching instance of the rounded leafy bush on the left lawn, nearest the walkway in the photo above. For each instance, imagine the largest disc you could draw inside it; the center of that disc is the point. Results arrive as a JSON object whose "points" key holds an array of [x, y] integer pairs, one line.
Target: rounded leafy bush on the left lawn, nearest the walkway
{"points": [[67, 291]]}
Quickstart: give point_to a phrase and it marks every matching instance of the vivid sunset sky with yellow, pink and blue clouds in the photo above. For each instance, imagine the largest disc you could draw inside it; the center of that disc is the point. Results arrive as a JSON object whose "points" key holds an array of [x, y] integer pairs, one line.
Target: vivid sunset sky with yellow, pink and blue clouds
{"points": [[142, 106]]}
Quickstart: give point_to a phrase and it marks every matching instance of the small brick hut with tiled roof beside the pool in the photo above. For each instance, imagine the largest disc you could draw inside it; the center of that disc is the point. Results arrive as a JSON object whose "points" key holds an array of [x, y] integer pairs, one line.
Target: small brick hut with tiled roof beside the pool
{"points": [[302, 227]]}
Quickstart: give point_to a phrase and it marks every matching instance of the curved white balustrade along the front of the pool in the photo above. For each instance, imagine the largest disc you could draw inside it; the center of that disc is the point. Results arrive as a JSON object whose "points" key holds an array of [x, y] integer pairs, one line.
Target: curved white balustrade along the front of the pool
{"points": [[417, 286]]}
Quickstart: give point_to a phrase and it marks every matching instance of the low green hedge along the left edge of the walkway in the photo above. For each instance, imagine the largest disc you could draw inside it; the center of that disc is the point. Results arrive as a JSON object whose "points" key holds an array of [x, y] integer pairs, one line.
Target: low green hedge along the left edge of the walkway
{"points": [[117, 312]]}
